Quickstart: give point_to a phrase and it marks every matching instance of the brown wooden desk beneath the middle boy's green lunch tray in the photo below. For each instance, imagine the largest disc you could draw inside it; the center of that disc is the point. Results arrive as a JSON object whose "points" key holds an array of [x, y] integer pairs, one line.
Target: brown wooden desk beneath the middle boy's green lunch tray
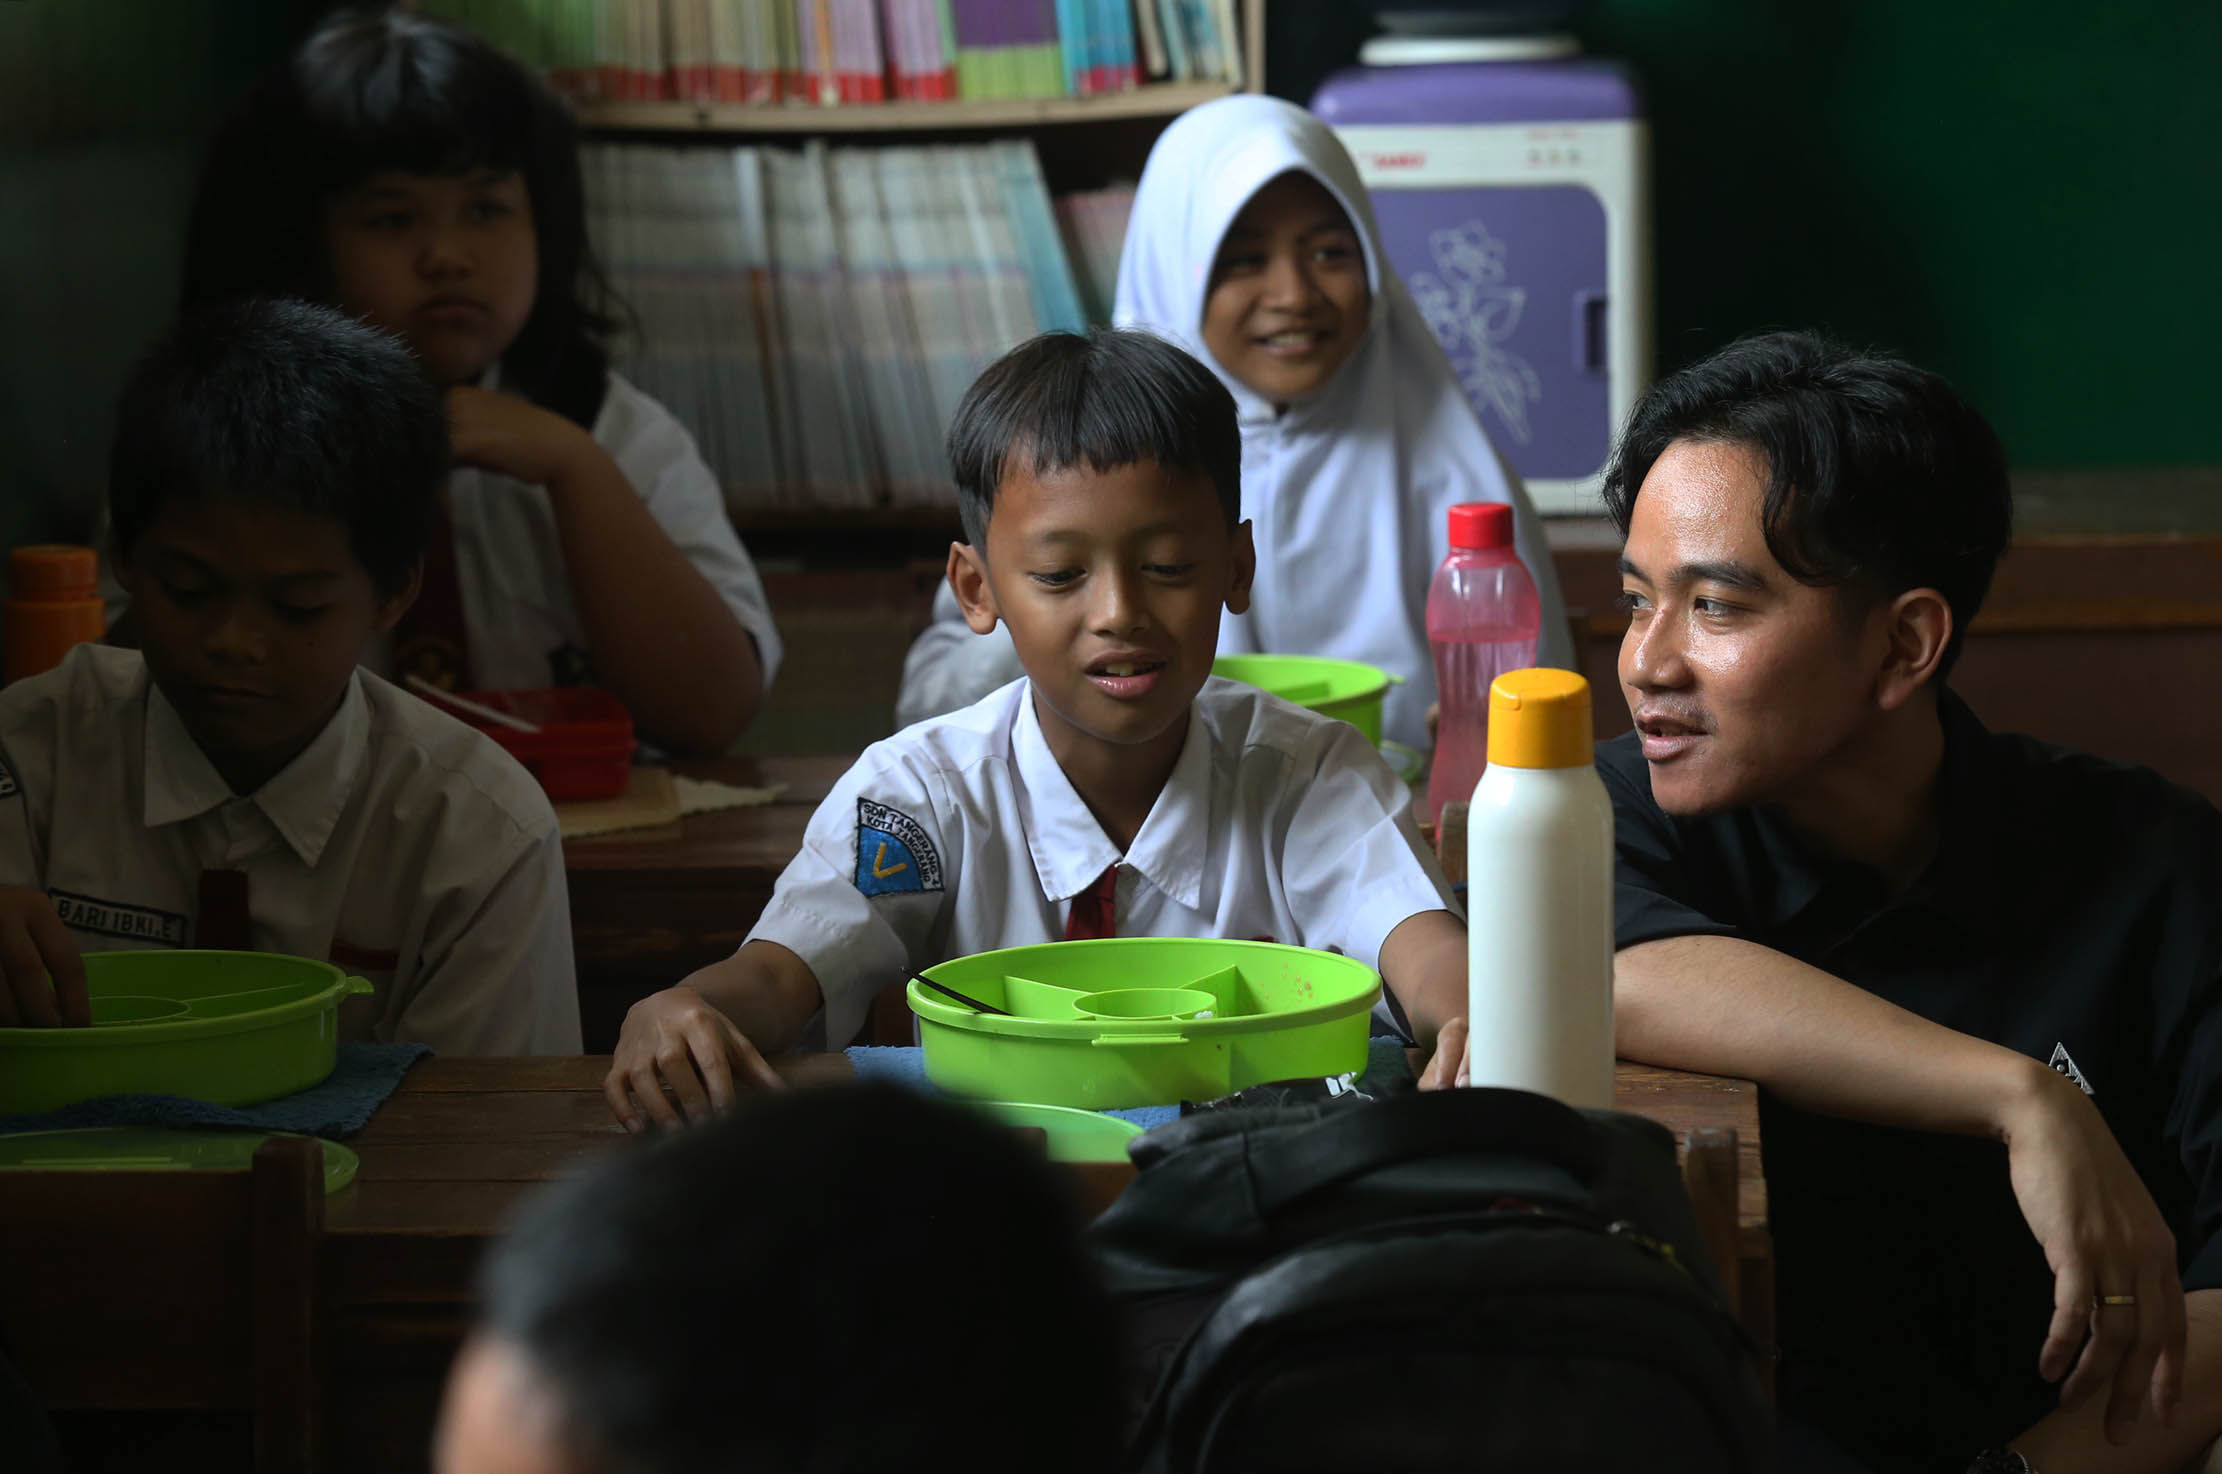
{"points": [[463, 1142]]}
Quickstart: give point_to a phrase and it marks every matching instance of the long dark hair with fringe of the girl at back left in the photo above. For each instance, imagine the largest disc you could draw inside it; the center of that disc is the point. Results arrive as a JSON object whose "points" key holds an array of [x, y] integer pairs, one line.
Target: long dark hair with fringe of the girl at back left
{"points": [[383, 88]]}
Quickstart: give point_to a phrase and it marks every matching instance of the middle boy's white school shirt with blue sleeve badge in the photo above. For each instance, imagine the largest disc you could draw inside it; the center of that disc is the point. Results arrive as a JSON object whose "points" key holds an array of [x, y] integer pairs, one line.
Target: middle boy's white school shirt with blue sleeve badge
{"points": [[963, 835]]}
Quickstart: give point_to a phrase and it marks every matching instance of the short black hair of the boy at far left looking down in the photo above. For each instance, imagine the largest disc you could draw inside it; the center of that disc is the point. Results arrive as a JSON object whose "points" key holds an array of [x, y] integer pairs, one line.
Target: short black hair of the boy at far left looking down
{"points": [[288, 406]]}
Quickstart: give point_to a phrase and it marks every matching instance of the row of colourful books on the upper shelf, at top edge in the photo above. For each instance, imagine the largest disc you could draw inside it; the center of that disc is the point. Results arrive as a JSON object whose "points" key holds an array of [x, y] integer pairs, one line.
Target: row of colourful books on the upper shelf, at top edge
{"points": [[834, 52]]}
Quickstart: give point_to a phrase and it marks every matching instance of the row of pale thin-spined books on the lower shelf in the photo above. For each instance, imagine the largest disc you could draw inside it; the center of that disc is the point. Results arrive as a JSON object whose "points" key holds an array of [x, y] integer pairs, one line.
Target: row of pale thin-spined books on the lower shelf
{"points": [[817, 315]]}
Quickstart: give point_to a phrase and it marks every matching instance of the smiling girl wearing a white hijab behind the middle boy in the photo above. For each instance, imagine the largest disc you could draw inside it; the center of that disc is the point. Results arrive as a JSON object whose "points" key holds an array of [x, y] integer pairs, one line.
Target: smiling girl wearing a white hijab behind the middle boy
{"points": [[1254, 248]]}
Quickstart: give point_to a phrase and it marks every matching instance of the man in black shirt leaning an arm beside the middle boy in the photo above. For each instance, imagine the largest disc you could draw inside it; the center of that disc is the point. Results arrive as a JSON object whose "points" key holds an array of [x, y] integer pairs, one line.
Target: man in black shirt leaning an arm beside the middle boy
{"points": [[1976, 977]]}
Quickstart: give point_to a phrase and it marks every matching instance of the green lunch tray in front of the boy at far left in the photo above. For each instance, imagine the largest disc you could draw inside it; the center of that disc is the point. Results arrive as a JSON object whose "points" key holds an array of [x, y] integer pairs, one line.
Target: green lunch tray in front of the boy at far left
{"points": [[230, 1028]]}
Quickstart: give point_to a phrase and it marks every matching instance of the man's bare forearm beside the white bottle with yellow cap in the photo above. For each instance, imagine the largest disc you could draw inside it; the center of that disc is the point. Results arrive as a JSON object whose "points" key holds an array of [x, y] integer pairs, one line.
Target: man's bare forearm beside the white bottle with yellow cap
{"points": [[1728, 1006]]}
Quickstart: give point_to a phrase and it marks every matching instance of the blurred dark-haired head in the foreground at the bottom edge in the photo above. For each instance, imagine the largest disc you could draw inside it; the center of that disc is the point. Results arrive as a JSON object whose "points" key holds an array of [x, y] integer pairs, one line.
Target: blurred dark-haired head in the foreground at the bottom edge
{"points": [[834, 1282]]}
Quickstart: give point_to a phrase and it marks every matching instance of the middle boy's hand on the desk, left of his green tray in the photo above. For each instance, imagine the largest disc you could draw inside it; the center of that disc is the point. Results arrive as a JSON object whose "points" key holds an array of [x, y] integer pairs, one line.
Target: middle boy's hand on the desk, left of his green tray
{"points": [[677, 1046]]}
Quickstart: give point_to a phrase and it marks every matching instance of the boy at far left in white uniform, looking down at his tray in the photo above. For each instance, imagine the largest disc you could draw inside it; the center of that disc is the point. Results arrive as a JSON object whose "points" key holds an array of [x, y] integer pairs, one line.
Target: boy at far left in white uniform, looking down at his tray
{"points": [[239, 781]]}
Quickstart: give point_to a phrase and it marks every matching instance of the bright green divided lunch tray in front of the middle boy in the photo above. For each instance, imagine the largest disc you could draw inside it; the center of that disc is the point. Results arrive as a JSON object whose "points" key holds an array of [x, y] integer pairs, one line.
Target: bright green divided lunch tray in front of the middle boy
{"points": [[1143, 1019]]}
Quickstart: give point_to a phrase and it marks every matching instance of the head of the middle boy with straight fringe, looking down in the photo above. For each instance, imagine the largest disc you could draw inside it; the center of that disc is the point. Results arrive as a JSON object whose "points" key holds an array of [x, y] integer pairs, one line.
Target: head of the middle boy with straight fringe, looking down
{"points": [[1101, 488]]}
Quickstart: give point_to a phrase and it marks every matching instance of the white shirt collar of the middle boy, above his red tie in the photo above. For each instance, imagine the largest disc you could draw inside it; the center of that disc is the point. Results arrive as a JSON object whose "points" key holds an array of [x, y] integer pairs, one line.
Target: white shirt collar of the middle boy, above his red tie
{"points": [[1072, 850]]}
